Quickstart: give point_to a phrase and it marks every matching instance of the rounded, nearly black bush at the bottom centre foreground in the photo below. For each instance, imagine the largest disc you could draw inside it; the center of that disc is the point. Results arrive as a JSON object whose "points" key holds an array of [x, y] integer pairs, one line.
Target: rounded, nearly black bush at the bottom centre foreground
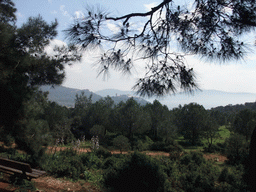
{"points": [[138, 173]]}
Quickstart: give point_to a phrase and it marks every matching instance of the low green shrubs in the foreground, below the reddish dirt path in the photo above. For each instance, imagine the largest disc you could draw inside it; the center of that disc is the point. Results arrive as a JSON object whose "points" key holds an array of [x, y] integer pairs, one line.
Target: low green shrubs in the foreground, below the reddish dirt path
{"points": [[137, 171]]}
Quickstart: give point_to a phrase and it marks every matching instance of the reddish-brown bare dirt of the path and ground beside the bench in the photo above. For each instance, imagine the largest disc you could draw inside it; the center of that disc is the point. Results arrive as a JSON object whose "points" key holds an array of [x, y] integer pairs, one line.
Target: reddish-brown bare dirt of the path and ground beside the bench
{"points": [[51, 184]]}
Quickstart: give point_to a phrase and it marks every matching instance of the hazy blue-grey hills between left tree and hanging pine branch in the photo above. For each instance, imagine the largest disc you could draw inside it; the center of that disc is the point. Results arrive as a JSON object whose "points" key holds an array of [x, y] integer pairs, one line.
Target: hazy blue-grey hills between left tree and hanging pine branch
{"points": [[66, 96]]}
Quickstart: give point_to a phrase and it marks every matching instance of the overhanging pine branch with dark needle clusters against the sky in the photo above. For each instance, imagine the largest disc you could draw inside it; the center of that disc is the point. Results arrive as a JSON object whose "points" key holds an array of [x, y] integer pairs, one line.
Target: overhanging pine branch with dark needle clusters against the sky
{"points": [[211, 29]]}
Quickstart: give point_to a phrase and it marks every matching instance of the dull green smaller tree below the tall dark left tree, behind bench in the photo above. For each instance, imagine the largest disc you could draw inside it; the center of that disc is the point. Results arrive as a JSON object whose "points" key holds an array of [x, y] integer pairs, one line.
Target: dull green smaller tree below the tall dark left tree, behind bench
{"points": [[32, 131]]}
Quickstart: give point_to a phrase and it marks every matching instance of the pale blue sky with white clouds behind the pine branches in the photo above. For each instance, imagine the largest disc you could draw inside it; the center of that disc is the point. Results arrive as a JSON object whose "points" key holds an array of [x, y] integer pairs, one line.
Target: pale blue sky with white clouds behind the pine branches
{"points": [[234, 76]]}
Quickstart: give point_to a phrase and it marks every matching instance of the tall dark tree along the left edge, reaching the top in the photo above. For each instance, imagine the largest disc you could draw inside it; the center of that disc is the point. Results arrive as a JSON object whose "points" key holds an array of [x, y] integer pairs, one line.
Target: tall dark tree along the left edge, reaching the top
{"points": [[24, 65]]}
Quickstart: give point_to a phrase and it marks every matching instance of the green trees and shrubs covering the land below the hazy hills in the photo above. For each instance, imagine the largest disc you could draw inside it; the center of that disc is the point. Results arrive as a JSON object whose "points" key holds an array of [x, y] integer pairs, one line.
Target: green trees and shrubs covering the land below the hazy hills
{"points": [[186, 134]]}
